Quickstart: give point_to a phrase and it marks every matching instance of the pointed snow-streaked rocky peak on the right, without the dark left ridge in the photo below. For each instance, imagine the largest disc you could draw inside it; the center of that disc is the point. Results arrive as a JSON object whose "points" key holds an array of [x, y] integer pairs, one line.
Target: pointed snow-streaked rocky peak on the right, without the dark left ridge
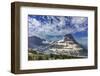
{"points": [[67, 46]]}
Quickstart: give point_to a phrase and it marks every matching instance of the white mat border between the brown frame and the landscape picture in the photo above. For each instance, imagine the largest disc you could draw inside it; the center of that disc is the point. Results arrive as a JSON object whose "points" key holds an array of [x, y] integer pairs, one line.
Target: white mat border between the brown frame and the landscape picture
{"points": [[25, 64]]}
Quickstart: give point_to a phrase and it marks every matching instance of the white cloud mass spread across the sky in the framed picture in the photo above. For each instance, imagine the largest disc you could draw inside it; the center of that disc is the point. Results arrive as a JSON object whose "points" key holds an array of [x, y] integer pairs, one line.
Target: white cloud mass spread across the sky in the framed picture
{"points": [[56, 28]]}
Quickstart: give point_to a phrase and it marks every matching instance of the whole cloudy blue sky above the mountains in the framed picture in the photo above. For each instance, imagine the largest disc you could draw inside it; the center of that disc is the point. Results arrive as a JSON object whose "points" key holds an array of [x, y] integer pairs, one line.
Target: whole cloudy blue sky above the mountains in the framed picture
{"points": [[55, 27]]}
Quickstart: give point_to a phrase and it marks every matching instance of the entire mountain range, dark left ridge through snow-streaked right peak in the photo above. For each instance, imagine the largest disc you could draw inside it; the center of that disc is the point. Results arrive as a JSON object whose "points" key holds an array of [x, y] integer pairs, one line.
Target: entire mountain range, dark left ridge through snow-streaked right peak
{"points": [[66, 46]]}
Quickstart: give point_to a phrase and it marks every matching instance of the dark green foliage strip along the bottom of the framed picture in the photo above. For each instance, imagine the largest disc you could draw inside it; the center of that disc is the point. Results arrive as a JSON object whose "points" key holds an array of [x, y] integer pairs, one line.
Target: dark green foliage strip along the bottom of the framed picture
{"points": [[33, 55]]}
